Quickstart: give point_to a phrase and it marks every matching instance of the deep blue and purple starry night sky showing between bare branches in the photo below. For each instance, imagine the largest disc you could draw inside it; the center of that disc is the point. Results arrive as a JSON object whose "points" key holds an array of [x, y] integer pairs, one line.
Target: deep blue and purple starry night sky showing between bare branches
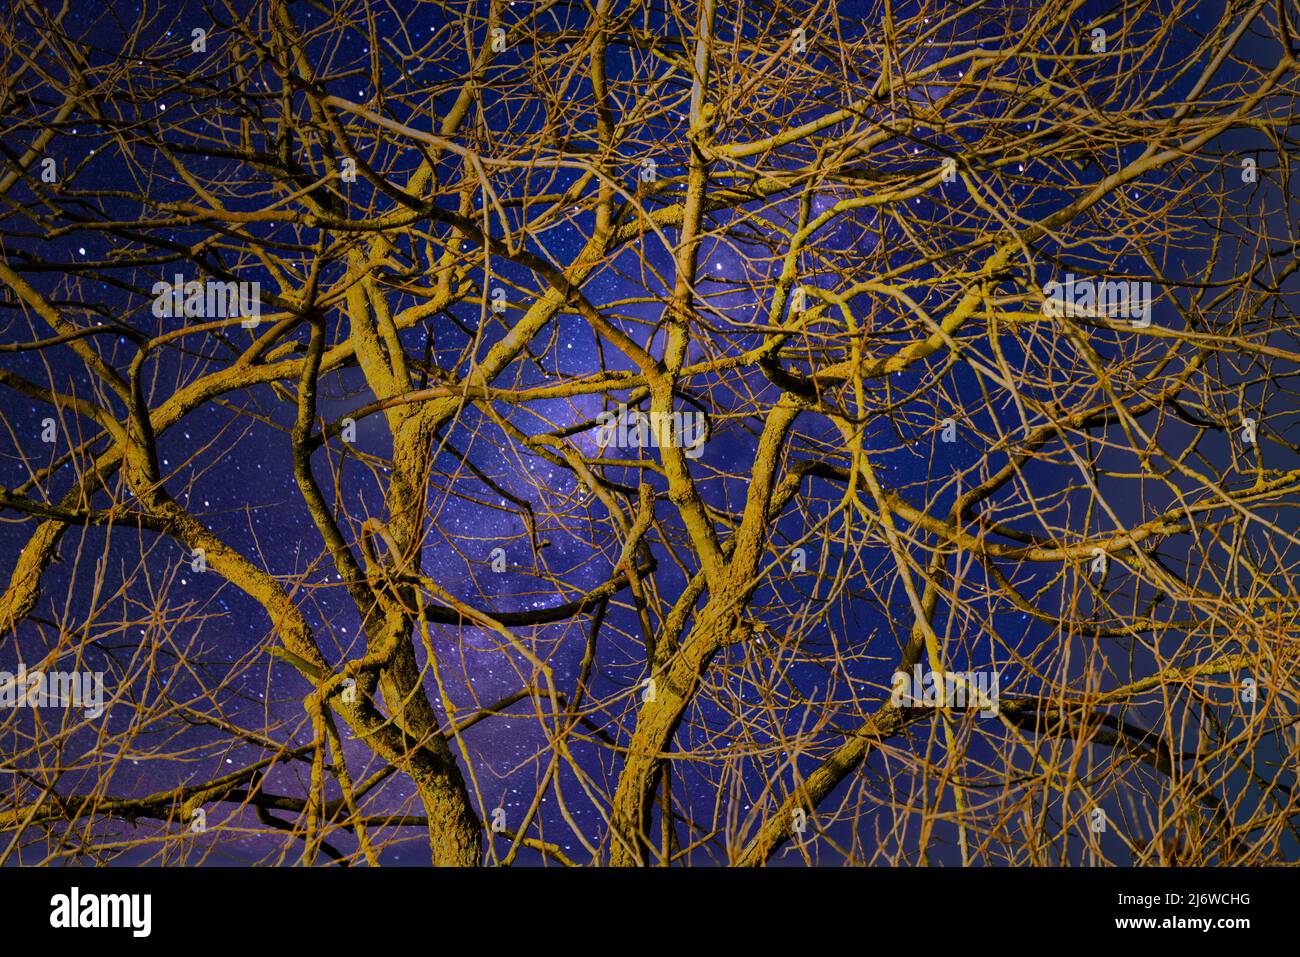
{"points": [[229, 461]]}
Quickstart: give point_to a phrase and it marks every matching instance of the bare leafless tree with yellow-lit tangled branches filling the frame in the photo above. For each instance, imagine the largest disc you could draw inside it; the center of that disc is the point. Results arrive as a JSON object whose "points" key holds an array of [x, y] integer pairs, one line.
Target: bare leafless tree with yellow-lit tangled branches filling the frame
{"points": [[652, 434]]}
